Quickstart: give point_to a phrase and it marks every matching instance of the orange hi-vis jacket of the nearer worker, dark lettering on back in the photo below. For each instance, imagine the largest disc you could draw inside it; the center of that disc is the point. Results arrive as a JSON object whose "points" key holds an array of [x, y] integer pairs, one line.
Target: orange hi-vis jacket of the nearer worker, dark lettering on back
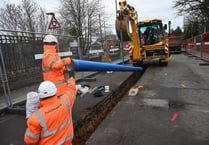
{"points": [[52, 124]]}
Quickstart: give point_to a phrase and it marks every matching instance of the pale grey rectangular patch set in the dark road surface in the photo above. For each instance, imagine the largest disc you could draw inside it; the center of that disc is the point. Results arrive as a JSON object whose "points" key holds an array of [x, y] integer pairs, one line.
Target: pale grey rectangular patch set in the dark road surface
{"points": [[156, 102]]}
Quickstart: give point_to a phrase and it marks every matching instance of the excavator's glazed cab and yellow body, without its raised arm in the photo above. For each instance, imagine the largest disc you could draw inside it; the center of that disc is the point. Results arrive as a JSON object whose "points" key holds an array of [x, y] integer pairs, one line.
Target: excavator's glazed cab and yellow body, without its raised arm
{"points": [[155, 45]]}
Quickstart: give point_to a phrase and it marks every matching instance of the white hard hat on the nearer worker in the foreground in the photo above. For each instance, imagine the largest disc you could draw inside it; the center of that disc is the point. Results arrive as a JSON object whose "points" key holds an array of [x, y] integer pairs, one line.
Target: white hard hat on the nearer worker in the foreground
{"points": [[47, 89]]}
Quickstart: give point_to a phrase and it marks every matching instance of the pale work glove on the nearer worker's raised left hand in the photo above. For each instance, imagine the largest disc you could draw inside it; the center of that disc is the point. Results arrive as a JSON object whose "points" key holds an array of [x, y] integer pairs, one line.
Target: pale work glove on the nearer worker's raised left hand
{"points": [[32, 103]]}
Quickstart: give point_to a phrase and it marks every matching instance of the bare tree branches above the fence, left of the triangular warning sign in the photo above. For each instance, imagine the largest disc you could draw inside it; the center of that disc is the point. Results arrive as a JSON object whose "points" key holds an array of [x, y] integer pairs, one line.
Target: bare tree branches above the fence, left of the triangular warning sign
{"points": [[27, 16]]}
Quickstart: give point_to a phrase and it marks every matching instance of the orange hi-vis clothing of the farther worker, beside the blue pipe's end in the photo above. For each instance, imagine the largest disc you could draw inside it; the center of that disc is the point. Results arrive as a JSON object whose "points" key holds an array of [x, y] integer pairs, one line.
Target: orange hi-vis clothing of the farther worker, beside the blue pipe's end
{"points": [[53, 68]]}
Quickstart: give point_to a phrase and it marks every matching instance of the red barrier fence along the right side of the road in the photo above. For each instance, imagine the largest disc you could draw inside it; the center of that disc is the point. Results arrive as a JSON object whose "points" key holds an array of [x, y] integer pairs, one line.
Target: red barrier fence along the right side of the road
{"points": [[197, 46]]}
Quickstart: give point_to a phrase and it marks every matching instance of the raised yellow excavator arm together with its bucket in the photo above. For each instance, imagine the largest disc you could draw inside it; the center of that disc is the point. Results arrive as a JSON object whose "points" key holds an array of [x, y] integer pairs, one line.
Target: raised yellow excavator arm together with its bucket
{"points": [[126, 15]]}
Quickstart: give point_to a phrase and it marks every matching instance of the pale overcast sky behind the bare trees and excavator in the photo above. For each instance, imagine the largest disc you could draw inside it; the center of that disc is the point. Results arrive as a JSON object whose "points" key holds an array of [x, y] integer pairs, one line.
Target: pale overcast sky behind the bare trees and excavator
{"points": [[146, 9]]}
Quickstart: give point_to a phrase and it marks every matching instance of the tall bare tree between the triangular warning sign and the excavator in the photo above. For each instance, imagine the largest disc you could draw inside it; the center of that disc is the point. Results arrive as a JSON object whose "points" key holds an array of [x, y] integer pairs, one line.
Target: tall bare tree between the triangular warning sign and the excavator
{"points": [[81, 16]]}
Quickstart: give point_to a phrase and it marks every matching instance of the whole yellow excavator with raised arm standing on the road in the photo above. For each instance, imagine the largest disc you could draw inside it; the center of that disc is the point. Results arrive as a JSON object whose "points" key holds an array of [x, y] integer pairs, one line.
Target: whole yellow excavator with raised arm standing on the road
{"points": [[146, 37]]}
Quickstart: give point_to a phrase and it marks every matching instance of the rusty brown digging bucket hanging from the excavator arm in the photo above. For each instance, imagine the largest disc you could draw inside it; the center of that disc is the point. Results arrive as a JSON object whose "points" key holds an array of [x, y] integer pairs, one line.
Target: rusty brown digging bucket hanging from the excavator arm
{"points": [[122, 25]]}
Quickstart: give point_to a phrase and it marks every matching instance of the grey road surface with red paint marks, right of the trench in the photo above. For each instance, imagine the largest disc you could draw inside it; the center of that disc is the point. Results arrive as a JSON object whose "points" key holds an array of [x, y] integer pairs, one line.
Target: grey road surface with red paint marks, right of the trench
{"points": [[170, 109]]}
